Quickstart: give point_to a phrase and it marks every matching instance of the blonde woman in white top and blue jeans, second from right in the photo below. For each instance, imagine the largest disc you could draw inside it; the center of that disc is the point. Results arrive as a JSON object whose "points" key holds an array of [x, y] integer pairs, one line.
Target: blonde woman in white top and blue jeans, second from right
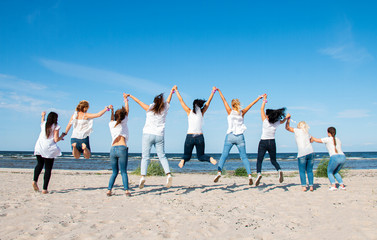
{"points": [[305, 155]]}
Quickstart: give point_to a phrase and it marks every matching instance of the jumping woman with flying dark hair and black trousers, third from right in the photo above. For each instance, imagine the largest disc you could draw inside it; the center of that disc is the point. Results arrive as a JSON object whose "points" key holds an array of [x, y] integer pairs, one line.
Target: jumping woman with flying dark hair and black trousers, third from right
{"points": [[272, 118]]}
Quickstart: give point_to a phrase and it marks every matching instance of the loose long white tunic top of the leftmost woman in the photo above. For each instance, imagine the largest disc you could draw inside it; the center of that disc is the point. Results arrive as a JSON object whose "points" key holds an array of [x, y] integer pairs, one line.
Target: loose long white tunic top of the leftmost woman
{"points": [[47, 147]]}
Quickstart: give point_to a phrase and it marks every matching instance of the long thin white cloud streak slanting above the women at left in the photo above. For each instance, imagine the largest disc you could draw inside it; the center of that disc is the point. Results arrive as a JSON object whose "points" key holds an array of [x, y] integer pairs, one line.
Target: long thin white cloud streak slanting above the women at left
{"points": [[102, 76]]}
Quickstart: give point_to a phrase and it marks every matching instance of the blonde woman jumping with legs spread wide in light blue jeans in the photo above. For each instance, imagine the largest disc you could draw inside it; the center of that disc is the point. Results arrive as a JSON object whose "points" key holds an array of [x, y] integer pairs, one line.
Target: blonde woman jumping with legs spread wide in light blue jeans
{"points": [[236, 128]]}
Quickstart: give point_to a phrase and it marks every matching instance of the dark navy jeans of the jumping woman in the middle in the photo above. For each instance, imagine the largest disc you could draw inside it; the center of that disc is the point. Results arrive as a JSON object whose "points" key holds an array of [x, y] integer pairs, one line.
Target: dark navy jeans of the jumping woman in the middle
{"points": [[196, 140]]}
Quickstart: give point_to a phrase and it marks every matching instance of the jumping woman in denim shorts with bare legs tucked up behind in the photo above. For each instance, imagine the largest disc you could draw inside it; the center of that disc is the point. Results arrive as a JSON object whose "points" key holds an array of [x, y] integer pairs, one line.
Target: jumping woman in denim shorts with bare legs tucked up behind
{"points": [[82, 122]]}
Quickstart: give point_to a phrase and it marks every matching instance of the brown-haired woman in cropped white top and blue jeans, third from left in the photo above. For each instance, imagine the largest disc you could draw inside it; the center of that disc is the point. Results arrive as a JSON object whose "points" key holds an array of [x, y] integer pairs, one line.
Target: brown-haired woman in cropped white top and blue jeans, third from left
{"points": [[119, 150]]}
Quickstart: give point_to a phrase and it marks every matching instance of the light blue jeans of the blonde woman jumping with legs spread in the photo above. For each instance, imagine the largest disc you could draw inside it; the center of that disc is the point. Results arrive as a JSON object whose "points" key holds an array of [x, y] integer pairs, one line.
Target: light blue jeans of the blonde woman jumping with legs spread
{"points": [[239, 141]]}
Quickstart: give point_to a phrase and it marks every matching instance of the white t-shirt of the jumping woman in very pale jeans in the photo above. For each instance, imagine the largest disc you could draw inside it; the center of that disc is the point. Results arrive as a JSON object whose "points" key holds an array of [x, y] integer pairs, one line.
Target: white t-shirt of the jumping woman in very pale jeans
{"points": [[155, 123]]}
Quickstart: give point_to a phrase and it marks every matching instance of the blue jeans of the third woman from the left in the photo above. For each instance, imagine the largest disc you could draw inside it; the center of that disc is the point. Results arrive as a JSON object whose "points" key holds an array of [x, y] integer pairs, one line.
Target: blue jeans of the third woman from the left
{"points": [[119, 159]]}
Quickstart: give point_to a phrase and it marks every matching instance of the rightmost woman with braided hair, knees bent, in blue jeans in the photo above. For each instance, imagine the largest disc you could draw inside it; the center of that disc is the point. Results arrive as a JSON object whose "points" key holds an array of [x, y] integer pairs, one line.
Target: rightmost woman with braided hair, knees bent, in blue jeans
{"points": [[337, 157]]}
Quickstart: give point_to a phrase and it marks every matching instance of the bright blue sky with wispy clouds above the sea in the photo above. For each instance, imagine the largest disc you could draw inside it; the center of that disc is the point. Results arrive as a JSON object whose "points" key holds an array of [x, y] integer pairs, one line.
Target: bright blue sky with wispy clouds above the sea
{"points": [[317, 58]]}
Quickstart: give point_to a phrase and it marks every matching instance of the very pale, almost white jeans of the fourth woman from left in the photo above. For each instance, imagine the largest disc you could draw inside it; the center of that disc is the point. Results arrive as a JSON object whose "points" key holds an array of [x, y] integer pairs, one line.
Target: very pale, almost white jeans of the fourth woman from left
{"points": [[150, 140]]}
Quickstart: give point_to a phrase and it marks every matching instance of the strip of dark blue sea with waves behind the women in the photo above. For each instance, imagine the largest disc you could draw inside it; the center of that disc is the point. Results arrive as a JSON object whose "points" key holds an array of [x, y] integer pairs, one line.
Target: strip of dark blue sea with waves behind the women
{"points": [[101, 161]]}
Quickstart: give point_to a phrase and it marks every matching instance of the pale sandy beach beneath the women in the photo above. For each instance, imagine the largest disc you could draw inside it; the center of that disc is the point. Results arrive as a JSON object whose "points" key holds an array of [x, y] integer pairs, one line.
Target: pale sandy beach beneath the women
{"points": [[194, 208]]}
